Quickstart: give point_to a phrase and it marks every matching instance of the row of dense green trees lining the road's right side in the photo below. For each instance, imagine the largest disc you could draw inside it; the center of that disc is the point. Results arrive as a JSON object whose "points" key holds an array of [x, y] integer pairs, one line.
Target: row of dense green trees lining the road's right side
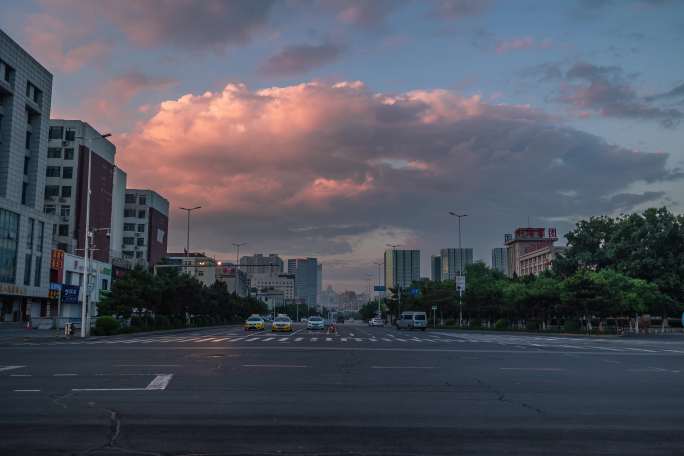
{"points": [[613, 270]]}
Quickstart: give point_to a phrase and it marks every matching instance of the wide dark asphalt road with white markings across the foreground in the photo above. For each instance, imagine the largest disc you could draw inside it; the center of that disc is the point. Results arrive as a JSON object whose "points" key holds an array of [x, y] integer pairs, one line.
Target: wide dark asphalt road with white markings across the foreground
{"points": [[371, 391]]}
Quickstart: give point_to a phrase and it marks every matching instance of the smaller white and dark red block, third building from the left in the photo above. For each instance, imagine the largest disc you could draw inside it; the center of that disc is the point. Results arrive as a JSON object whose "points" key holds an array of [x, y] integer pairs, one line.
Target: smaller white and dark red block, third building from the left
{"points": [[145, 227]]}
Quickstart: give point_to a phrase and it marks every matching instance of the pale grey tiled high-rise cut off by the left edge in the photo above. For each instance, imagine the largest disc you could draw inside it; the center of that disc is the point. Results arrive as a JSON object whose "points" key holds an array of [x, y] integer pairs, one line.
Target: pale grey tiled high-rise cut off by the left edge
{"points": [[25, 230]]}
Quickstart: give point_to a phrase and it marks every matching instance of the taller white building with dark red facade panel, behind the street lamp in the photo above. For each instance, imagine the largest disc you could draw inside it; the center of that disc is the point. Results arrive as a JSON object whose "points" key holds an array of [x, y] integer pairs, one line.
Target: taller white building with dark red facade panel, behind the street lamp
{"points": [[71, 145]]}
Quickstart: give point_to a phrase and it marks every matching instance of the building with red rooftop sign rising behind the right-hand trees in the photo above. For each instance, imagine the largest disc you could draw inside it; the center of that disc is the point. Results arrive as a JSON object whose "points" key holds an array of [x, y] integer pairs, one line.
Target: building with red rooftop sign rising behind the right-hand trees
{"points": [[524, 242]]}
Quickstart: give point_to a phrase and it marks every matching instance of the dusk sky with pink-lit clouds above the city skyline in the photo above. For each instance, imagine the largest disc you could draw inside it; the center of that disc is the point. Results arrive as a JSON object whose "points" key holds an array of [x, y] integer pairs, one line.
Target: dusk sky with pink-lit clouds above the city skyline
{"points": [[331, 128]]}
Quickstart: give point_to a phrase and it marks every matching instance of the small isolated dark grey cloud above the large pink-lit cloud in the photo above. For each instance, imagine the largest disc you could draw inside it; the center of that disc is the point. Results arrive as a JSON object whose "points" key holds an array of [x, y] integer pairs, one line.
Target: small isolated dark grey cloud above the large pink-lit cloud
{"points": [[298, 59]]}
